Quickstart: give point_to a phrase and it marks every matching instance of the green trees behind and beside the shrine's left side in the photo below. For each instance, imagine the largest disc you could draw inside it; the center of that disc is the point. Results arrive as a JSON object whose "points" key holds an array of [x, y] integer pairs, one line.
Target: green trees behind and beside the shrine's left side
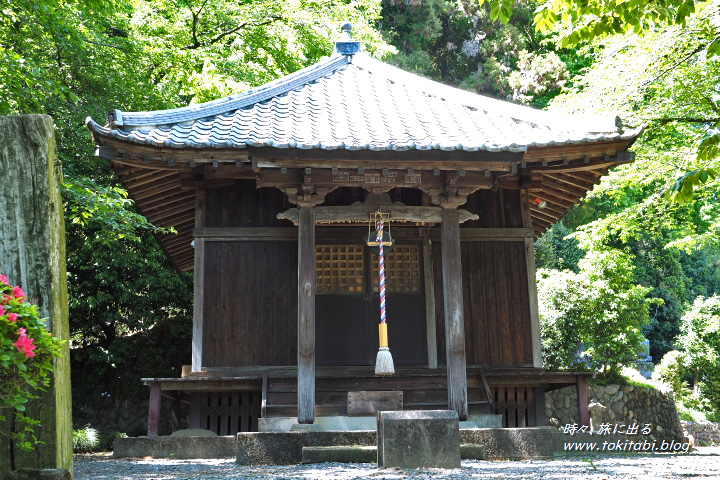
{"points": [[129, 312]]}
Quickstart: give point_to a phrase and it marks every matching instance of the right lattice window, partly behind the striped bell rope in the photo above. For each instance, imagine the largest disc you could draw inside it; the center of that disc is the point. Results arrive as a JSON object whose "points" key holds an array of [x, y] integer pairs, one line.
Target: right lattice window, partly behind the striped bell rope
{"points": [[402, 270]]}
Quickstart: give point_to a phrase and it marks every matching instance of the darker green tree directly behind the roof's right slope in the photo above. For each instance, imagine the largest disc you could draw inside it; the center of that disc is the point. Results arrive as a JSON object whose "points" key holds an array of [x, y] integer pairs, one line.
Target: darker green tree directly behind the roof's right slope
{"points": [[459, 44]]}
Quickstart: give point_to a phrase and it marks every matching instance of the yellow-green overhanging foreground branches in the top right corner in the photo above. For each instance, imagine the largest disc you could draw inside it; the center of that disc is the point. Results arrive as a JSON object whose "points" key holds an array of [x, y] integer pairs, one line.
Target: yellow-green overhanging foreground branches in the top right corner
{"points": [[577, 22]]}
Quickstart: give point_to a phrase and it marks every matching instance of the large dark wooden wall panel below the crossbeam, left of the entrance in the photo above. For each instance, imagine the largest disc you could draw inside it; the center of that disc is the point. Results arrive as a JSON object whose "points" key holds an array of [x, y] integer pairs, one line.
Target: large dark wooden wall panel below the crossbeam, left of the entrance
{"points": [[251, 304]]}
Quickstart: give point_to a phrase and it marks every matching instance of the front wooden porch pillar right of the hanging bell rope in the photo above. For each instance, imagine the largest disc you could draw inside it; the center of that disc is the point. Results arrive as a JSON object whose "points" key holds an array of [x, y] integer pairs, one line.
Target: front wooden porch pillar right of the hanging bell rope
{"points": [[454, 315]]}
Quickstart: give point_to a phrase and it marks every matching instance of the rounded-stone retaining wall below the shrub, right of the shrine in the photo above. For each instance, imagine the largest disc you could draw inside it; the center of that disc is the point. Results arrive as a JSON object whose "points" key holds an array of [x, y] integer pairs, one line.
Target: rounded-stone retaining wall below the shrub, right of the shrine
{"points": [[616, 405]]}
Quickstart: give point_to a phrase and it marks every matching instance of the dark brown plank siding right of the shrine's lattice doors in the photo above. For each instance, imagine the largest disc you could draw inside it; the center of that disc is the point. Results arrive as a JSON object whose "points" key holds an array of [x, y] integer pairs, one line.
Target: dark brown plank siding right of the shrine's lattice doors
{"points": [[495, 290]]}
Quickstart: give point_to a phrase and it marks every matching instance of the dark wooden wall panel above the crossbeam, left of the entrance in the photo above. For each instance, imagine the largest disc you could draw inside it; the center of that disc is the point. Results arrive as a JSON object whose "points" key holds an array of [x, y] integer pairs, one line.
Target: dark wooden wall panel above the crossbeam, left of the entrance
{"points": [[244, 205]]}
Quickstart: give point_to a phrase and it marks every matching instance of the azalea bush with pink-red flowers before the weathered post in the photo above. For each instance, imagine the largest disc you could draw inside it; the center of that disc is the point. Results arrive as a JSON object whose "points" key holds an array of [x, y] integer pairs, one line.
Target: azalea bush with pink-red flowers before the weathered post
{"points": [[27, 350]]}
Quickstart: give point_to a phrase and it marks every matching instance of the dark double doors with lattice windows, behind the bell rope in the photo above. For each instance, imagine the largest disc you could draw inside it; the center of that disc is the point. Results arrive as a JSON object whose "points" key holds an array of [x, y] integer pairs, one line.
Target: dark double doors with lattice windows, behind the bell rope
{"points": [[348, 305]]}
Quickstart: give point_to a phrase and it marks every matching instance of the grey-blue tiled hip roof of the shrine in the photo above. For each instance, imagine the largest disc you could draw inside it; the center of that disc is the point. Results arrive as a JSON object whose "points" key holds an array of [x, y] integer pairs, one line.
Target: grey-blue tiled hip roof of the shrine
{"points": [[354, 102]]}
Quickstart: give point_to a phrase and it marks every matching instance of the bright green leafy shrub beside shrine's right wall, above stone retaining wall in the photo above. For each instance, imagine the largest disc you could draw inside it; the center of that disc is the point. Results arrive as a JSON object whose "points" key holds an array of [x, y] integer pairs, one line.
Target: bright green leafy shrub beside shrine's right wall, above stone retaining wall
{"points": [[599, 308]]}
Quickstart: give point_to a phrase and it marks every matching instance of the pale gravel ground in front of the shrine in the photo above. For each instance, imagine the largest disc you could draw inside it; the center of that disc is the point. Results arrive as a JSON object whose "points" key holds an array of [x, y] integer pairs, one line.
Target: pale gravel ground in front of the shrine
{"points": [[703, 463]]}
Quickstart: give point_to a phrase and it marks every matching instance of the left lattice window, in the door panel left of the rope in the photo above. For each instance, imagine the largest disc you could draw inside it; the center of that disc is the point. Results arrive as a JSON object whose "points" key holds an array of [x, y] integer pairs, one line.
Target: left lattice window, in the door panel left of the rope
{"points": [[339, 268]]}
